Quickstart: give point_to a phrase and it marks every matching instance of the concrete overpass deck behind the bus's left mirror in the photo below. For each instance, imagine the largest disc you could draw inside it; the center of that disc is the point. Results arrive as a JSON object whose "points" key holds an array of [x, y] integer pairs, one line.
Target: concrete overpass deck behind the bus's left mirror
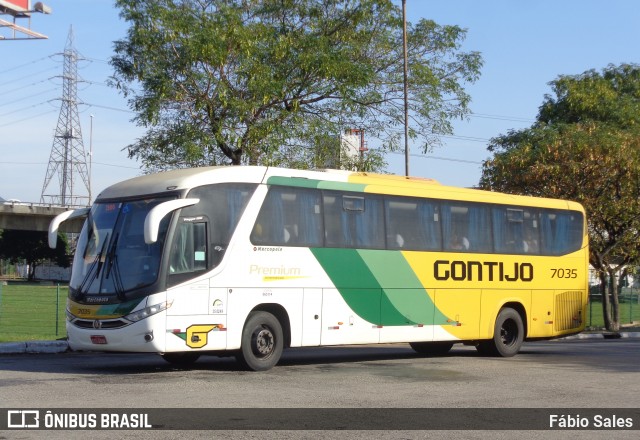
{"points": [[35, 217]]}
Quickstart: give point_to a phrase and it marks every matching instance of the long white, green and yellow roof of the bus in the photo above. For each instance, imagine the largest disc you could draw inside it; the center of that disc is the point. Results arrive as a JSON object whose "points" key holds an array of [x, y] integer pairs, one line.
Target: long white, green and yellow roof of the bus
{"points": [[184, 179]]}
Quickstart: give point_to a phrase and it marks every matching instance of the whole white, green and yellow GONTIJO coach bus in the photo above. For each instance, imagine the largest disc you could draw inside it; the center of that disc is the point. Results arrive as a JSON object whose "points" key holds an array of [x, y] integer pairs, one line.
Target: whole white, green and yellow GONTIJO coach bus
{"points": [[251, 260]]}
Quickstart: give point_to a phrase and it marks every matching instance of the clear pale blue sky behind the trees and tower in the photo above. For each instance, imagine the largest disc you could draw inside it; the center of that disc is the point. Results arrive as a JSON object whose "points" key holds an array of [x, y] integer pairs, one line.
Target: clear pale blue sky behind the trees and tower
{"points": [[525, 45]]}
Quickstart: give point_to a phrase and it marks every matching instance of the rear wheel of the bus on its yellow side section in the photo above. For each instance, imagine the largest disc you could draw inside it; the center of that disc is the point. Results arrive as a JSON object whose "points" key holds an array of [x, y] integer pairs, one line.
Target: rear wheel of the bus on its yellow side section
{"points": [[508, 335]]}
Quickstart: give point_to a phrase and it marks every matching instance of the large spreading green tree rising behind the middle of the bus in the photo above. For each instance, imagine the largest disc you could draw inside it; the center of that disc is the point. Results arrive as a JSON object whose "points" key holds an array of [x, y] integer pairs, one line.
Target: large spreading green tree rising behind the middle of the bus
{"points": [[258, 82]]}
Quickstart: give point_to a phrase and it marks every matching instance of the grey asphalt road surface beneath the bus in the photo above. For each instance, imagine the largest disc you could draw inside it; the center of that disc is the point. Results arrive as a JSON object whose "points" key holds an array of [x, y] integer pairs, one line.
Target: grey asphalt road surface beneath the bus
{"points": [[555, 374]]}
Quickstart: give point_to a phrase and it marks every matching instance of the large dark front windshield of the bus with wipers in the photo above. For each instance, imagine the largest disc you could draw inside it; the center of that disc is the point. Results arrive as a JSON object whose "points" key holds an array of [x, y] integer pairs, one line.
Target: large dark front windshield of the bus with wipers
{"points": [[111, 256]]}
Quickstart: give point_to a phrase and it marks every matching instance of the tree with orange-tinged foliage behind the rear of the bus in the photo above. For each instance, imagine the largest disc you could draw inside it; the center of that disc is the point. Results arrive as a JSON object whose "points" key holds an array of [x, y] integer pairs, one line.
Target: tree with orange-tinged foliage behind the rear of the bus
{"points": [[585, 146]]}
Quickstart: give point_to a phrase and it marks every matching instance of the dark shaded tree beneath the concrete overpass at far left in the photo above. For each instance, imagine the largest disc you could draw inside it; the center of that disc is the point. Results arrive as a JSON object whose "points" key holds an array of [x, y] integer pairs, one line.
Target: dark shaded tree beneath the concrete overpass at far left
{"points": [[32, 247]]}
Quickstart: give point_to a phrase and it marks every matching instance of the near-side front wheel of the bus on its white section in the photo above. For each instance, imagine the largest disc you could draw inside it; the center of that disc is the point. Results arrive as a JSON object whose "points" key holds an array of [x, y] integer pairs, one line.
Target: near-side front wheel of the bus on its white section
{"points": [[262, 342]]}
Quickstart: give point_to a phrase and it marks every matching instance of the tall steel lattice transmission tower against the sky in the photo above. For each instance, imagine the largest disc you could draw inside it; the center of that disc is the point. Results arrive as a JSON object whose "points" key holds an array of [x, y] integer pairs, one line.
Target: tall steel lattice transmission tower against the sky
{"points": [[68, 158]]}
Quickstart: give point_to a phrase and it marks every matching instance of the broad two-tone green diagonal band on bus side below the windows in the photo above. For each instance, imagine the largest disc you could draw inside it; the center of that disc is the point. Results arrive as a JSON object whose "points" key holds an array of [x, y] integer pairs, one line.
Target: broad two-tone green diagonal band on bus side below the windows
{"points": [[379, 286]]}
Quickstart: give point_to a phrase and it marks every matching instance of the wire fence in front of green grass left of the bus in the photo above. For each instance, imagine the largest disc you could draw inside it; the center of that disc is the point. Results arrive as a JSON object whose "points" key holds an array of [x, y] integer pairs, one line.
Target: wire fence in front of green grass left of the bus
{"points": [[32, 311]]}
